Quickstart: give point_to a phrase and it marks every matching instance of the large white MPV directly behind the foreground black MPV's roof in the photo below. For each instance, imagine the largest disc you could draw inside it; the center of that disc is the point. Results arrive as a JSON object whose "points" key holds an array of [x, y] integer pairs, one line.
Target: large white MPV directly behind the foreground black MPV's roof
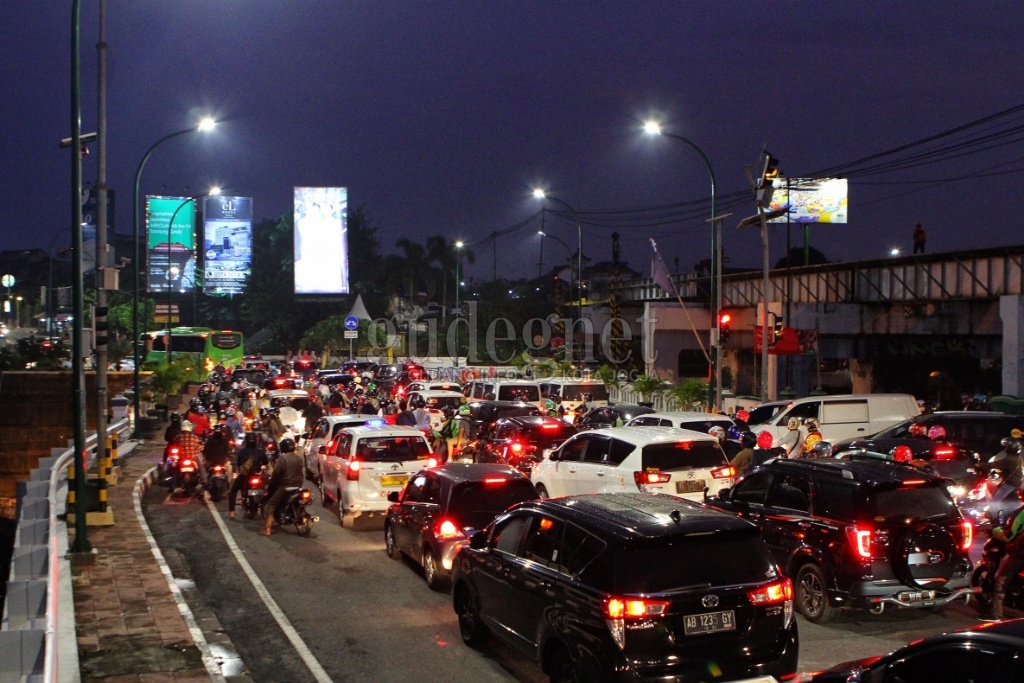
{"points": [[653, 460]]}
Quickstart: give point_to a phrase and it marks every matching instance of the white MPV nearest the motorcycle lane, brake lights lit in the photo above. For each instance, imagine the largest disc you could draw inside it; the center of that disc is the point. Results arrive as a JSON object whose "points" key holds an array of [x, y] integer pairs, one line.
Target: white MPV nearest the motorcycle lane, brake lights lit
{"points": [[368, 463]]}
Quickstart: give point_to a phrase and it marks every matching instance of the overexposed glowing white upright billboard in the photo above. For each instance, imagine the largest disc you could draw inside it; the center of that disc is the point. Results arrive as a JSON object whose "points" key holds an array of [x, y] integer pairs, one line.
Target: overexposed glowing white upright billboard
{"points": [[321, 241]]}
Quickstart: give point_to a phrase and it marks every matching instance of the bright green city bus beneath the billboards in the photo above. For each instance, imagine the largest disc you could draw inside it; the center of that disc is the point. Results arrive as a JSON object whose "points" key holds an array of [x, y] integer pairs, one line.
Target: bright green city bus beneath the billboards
{"points": [[204, 347]]}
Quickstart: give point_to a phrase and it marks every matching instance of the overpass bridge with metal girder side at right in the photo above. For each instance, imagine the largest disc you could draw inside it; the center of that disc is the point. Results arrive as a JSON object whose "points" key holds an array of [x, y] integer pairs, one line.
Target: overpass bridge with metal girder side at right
{"points": [[925, 324]]}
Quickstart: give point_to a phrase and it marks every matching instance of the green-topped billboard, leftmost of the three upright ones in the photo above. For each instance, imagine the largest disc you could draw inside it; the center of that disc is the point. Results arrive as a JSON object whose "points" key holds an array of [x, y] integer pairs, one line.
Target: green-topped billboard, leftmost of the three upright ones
{"points": [[170, 254]]}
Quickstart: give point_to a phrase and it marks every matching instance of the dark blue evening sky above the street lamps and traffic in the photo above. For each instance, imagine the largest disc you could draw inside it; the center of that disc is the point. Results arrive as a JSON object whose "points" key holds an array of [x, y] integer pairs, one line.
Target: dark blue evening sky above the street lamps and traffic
{"points": [[441, 117]]}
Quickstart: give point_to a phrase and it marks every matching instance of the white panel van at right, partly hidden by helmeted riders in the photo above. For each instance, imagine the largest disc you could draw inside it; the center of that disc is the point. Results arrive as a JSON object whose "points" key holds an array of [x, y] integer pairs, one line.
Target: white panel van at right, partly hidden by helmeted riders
{"points": [[840, 417]]}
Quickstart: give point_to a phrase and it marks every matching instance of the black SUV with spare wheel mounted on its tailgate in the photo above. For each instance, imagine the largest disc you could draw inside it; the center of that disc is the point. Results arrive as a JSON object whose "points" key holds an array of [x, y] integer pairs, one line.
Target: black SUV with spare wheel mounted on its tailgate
{"points": [[858, 533]]}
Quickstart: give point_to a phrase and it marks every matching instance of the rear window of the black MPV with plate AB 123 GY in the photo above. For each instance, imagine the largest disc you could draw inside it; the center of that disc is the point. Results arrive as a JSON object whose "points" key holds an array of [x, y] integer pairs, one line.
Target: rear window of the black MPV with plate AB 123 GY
{"points": [[672, 563]]}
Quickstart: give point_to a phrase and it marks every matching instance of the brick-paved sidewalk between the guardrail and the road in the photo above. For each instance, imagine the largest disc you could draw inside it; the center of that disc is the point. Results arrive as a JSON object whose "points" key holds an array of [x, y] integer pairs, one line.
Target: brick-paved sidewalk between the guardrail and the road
{"points": [[129, 620]]}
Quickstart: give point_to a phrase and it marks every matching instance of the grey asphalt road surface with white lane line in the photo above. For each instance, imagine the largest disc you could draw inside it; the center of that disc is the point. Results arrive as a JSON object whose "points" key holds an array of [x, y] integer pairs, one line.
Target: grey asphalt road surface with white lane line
{"points": [[365, 617]]}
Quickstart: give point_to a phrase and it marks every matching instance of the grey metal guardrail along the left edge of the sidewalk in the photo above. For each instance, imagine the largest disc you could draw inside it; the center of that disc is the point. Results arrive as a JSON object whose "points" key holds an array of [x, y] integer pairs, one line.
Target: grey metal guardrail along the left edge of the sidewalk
{"points": [[37, 632]]}
